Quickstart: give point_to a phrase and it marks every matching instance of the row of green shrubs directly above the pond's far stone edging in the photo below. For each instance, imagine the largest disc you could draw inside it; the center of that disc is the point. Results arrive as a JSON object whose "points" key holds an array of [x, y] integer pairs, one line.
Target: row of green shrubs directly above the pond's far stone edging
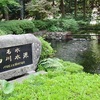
{"points": [[57, 25]]}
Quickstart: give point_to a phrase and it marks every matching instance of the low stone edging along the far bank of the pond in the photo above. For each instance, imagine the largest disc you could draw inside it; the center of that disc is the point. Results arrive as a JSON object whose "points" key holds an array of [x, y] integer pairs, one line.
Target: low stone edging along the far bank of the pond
{"points": [[65, 35]]}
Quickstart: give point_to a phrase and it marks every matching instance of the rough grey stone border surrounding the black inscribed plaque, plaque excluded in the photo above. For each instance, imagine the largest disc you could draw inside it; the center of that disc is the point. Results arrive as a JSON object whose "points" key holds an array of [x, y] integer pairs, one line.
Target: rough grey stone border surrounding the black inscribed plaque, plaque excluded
{"points": [[9, 41]]}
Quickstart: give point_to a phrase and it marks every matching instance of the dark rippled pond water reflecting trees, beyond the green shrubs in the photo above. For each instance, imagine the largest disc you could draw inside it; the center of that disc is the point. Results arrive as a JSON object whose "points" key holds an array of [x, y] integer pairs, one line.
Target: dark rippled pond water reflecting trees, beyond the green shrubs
{"points": [[83, 52]]}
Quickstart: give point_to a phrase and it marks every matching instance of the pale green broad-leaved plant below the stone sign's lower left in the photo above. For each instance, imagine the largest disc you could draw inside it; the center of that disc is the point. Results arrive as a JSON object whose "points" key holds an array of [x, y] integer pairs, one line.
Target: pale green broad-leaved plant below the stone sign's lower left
{"points": [[6, 87]]}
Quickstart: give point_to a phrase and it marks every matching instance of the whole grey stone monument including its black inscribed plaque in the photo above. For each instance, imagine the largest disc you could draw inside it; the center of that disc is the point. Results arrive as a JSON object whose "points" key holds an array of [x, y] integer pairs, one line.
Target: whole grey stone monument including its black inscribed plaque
{"points": [[19, 54]]}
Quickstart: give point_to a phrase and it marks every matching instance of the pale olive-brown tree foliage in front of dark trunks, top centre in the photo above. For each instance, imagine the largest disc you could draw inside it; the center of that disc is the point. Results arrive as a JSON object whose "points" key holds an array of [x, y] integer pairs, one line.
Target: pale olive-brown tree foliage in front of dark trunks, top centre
{"points": [[40, 9]]}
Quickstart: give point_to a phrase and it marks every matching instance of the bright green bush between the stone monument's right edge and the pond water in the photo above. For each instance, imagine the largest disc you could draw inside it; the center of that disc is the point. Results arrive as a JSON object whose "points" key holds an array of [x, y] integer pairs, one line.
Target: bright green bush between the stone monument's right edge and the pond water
{"points": [[47, 50]]}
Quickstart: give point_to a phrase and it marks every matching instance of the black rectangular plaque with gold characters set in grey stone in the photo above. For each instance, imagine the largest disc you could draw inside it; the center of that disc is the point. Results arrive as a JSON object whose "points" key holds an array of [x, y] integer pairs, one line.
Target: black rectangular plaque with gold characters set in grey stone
{"points": [[15, 57]]}
